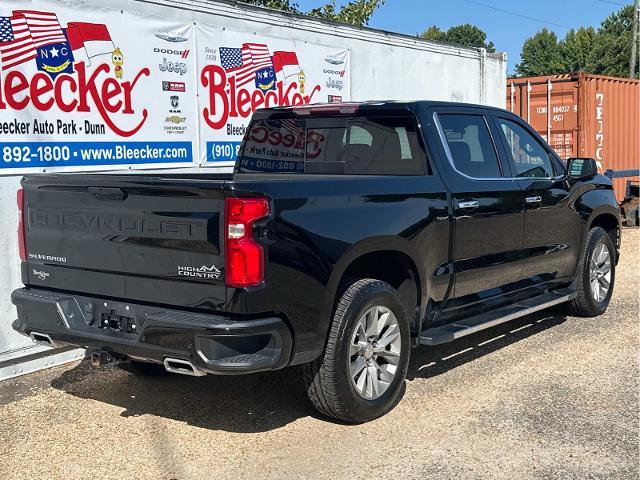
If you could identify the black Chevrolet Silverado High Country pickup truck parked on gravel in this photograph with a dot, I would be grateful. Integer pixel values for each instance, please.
(347, 234)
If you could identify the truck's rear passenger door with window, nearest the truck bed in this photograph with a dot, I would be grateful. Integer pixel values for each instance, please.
(487, 203)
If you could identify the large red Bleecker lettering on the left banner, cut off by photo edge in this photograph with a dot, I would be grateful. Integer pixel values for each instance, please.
(70, 94)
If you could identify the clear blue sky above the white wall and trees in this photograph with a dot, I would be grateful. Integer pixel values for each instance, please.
(507, 32)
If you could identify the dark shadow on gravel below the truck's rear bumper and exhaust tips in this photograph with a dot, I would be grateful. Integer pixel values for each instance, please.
(252, 403)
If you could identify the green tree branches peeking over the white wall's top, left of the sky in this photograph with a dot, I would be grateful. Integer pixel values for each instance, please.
(356, 12)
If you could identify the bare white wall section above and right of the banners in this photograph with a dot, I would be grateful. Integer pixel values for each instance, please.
(385, 66)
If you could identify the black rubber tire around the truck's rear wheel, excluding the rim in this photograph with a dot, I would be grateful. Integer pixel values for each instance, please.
(327, 379)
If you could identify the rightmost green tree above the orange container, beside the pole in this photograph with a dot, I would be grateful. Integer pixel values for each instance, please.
(612, 49)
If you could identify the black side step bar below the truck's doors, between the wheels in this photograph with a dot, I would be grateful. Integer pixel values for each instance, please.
(452, 331)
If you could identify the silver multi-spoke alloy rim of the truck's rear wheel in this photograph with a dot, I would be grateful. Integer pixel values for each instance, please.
(374, 352)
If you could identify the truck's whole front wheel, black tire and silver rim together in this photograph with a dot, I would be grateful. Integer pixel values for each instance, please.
(596, 276)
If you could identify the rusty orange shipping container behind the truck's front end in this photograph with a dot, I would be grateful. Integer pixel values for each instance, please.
(583, 115)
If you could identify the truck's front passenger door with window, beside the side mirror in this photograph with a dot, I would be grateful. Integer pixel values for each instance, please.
(552, 228)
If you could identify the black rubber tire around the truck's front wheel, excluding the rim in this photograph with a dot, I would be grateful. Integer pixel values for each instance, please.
(585, 305)
